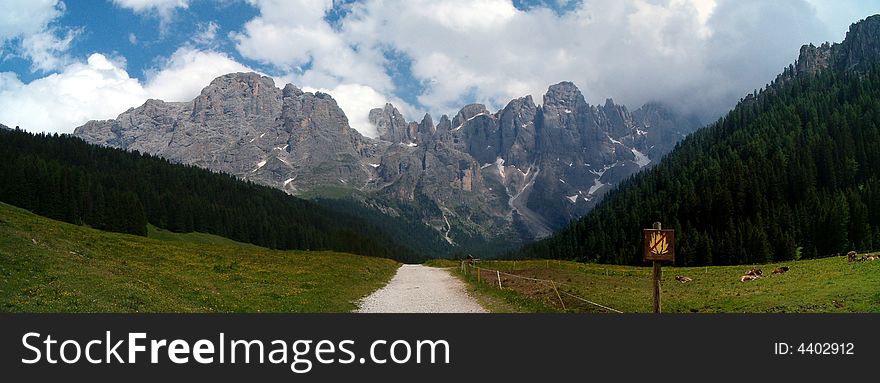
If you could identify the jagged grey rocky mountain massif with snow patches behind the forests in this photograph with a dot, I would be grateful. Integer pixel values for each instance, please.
(519, 173)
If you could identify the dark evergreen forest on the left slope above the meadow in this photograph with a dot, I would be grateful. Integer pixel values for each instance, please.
(64, 178)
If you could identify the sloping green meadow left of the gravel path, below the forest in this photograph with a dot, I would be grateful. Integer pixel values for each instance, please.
(50, 266)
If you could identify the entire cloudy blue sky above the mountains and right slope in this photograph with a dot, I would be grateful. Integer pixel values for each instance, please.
(63, 63)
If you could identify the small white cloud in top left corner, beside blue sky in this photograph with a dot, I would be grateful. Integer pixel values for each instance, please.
(26, 30)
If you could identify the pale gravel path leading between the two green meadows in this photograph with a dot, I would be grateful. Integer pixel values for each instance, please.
(421, 289)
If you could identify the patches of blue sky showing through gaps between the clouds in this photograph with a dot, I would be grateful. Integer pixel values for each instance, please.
(143, 38)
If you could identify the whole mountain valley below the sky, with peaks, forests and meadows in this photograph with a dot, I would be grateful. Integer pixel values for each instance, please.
(257, 198)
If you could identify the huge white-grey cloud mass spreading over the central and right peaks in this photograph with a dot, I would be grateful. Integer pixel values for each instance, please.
(697, 55)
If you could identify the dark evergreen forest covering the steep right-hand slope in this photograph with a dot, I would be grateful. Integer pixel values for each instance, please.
(791, 172)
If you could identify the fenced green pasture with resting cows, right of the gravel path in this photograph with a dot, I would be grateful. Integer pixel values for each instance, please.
(815, 286)
